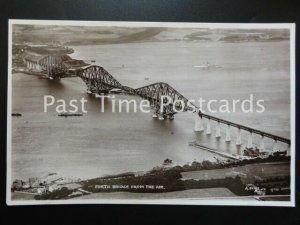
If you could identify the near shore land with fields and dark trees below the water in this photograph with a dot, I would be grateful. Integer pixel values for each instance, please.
(176, 181)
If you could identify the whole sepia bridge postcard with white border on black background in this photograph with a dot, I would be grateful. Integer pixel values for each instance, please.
(150, 113)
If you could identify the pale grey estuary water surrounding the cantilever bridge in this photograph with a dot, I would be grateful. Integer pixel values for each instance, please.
(101, 143)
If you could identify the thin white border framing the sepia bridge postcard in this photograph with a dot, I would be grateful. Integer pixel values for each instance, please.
(217, 201)
